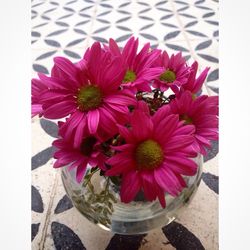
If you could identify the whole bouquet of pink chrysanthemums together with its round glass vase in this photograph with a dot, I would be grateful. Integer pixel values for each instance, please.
(134, 131)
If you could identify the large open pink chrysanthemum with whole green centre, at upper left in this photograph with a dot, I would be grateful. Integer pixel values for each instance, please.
(87, 91)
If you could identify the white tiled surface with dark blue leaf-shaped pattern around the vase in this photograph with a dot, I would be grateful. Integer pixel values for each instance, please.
(67, 28)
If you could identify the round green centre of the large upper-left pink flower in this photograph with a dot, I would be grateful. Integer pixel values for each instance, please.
(89, 97)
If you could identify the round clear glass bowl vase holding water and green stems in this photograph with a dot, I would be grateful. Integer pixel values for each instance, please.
(99, 201)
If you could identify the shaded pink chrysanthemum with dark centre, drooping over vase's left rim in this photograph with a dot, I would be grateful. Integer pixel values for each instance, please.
(88, 152)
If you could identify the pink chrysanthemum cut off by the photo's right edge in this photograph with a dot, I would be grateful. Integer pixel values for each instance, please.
(202, 112)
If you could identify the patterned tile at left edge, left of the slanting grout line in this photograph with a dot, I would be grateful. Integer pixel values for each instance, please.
(41, 190)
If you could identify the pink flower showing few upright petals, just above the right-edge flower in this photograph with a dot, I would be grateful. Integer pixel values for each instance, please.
(193, 84)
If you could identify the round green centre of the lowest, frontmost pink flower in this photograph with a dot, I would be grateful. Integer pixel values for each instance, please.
(148, 155)
